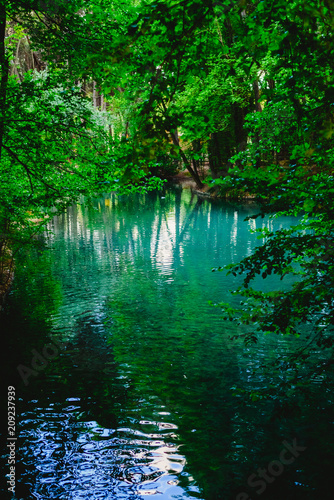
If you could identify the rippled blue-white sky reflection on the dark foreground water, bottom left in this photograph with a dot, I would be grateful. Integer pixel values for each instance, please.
(75, 458)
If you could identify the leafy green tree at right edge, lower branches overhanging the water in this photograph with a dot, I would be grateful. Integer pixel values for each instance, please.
(297, 118)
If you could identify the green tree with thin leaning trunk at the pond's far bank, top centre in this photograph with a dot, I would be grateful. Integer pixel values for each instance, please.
(159, 55)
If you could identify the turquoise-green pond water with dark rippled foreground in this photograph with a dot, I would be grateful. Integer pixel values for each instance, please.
(140, 391)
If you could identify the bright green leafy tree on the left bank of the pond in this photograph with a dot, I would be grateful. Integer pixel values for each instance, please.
(54, 146)
